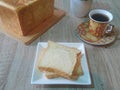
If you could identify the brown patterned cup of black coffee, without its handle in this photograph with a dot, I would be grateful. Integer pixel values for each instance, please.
(99, 22)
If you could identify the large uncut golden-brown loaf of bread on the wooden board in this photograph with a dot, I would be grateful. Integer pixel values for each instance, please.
(22, 16)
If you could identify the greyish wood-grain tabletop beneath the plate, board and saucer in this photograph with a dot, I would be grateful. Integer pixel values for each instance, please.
(16, 59)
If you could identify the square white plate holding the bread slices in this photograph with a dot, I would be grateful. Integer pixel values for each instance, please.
(39, 77)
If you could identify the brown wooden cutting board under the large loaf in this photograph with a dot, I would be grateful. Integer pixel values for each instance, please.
(38, 31)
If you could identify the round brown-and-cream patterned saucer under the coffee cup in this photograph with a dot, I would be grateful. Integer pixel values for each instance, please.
(83, 34)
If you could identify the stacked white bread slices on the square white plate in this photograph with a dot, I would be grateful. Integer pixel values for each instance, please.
(60, 61)
